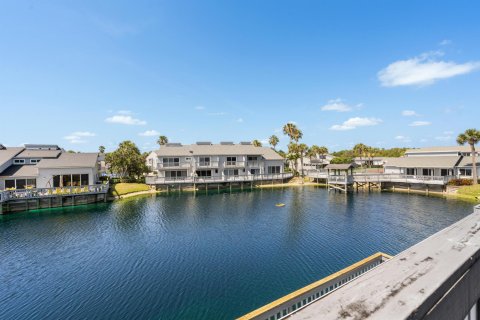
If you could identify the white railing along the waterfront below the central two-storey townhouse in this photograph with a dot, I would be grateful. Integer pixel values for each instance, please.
(217, 179)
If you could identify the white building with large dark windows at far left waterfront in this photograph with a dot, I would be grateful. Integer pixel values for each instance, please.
(45, 166)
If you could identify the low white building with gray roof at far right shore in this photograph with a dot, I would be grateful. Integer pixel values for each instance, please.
(453, 161)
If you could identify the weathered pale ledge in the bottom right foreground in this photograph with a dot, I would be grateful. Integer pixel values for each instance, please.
(437, 278)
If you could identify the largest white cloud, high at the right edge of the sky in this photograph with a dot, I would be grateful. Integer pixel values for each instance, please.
(422, 70)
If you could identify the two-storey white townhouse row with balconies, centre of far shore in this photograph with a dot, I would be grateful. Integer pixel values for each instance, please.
(205, 161)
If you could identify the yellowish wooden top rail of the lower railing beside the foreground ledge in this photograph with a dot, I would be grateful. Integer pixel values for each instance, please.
(311, 286)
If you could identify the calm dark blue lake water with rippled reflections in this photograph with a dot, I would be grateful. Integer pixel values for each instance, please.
(214, 256)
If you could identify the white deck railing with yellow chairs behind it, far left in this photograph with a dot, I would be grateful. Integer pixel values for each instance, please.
(51, 192)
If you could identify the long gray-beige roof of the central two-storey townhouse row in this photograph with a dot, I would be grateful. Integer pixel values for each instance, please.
(217, 150)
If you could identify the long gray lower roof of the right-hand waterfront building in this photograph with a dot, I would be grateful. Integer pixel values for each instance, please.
(423, 162)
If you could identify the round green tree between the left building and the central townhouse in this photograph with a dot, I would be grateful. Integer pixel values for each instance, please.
(126, 161)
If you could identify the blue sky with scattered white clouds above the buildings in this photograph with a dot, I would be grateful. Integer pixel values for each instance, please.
(386, 73)
